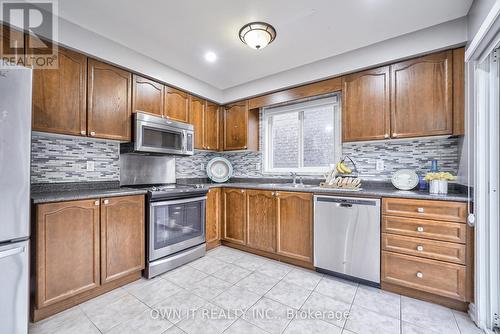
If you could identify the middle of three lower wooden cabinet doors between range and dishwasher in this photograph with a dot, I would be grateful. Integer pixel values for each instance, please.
(261, 220)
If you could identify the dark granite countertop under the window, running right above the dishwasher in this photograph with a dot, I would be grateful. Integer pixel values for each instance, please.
(369, 188)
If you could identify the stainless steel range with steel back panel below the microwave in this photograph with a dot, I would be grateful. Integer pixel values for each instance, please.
(175, 213)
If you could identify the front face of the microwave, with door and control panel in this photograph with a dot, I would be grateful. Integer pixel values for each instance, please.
(154, 138)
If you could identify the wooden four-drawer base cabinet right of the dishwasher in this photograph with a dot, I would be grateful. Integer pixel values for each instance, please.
(427, 251)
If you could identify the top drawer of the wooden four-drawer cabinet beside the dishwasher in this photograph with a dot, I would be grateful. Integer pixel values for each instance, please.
(436, 210)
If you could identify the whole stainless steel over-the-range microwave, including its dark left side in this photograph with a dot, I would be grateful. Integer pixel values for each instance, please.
(154, 134)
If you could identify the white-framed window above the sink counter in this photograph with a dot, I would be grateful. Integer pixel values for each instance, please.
(302, 137)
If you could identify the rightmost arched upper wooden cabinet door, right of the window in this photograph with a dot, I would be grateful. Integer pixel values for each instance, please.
(422, 96)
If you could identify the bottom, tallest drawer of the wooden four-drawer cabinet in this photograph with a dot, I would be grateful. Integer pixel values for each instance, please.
(440, 278)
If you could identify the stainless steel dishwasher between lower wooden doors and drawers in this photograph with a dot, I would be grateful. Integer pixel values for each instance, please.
(347, 237)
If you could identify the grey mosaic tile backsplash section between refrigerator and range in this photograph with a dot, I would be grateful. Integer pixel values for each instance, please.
(64, 159)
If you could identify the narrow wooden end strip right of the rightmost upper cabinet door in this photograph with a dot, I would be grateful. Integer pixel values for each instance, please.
(459, 92)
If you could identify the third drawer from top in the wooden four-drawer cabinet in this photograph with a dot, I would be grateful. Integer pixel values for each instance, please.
(437, 250)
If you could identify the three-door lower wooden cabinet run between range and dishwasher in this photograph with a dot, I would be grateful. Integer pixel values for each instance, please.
(277, 223)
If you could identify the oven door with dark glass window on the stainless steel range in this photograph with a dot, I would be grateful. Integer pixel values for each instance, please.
(176, 225)
